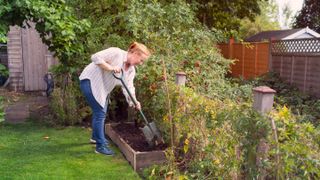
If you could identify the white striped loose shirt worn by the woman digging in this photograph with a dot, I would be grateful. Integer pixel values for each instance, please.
(103, 82)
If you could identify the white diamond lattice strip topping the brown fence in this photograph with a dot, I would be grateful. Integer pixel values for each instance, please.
(296, 46)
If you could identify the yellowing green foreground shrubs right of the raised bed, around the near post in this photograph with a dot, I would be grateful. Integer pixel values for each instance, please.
(207, 133)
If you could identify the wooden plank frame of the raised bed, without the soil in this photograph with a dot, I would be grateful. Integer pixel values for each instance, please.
(137, 159)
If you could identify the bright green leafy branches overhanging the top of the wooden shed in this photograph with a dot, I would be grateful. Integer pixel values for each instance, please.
(58, 27)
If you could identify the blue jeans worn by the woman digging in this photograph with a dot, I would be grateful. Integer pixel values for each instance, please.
(98, 113)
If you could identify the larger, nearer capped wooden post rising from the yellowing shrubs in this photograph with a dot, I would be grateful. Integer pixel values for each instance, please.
(263, 102)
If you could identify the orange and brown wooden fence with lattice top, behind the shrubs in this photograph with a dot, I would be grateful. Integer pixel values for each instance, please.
(297, 61)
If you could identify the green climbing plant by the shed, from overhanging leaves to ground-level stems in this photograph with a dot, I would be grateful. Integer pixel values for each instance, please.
(61, 31)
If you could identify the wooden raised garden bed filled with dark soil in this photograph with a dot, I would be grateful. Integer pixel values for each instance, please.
(134, 147)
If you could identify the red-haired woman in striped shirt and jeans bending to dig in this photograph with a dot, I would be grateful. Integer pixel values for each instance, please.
(97, 81)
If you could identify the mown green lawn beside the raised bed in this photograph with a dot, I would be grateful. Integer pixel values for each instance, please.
(65, 154)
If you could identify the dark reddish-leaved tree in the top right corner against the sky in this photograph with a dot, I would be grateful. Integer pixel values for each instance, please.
(309, 16)
